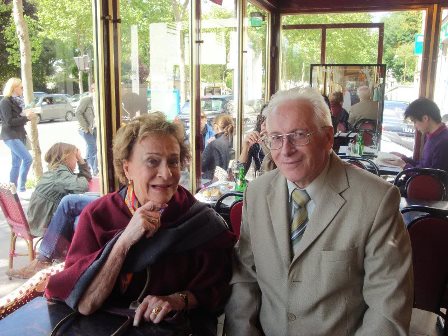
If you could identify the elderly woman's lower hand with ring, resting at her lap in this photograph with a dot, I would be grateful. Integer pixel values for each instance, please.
(156, 308)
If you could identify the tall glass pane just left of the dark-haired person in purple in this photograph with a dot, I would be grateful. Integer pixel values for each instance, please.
(403, 77)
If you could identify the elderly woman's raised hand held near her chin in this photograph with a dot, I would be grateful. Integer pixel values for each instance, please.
(145, 221)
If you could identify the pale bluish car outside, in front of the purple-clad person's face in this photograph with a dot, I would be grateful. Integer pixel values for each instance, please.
(393, 118)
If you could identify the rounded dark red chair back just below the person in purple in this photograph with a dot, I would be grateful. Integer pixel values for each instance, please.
(424, 184)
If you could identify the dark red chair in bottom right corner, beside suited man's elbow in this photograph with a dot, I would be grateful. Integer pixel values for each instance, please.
(429, 240)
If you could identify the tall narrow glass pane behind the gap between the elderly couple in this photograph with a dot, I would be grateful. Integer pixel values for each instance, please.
(219, 65)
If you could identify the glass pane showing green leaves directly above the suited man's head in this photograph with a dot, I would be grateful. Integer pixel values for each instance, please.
(299, 49)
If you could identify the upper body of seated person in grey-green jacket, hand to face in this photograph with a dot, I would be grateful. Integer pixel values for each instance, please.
(58, 181)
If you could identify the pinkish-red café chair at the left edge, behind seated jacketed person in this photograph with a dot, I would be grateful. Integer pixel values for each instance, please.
(16, 219)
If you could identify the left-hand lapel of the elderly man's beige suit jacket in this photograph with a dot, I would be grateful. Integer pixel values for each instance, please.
(278, 207)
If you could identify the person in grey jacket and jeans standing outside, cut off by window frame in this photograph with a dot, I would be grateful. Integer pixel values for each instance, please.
(85, 114)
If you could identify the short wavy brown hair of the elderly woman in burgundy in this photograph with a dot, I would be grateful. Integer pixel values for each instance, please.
(139, 128)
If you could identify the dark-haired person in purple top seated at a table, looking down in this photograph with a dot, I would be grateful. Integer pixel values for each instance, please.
(425, 115)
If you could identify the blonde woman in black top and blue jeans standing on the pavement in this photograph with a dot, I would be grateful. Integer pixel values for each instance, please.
(14, 118)
